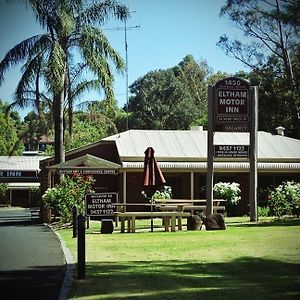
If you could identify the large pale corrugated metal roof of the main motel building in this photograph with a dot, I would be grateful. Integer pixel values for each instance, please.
(191, 145)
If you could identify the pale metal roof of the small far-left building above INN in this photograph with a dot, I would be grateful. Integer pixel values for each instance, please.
(22, 163)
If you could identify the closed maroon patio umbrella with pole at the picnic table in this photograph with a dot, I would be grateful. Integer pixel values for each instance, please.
(153, 177)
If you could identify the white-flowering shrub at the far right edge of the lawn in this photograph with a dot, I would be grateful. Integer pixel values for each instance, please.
(285, 199)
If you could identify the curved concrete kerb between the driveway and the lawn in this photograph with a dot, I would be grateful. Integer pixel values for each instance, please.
(70, 267)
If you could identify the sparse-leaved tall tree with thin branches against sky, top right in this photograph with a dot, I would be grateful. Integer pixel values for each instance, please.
(264, 23)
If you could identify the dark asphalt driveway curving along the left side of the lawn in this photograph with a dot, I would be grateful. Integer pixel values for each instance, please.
(32, 264)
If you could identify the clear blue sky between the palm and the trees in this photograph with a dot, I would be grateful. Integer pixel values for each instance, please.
(169, 30)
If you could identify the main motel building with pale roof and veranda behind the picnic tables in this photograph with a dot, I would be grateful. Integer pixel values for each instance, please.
(116, 162)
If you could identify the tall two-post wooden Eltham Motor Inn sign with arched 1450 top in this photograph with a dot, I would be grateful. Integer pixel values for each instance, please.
(232, 107)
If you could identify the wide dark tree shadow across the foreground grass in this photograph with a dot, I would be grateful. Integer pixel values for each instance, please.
(245, 278)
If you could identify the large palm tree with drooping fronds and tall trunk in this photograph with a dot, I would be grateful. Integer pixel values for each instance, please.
(70, 32)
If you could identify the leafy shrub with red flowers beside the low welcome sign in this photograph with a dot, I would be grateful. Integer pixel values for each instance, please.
(69, 192)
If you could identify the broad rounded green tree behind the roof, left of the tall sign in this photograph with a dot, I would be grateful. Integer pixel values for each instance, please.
(174, 98)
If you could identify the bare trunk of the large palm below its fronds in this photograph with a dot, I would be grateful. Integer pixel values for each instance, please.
(59, 128)
